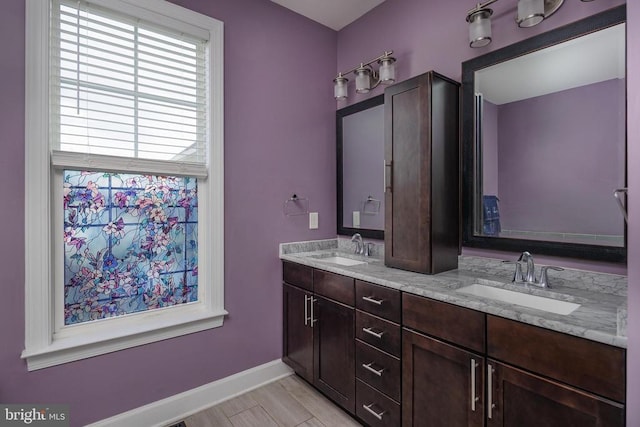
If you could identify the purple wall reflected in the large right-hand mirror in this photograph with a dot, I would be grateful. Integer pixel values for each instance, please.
(569, 149)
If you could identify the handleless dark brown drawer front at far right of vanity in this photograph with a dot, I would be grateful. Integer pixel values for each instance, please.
(592, 366)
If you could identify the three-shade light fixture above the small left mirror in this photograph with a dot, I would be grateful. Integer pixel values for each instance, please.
(367, 77)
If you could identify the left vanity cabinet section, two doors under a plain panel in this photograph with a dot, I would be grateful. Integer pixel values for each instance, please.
(318, 329)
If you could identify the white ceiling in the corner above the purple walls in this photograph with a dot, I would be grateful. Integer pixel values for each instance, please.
(334, 14)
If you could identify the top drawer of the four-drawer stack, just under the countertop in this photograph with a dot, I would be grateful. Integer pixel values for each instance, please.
(378, 300)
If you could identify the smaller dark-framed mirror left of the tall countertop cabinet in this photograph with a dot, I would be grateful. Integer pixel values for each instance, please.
(360, 164)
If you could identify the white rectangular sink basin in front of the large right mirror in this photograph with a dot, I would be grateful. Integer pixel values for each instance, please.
(518, 298)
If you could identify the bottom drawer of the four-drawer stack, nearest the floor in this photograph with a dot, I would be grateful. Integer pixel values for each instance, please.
(375, 408)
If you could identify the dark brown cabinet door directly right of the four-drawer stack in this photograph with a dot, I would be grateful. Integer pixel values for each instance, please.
(441, 384)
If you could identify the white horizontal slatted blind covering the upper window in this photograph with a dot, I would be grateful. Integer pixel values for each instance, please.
(122, 87)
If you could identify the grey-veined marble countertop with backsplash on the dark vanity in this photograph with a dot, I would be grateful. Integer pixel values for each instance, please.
(602, 297)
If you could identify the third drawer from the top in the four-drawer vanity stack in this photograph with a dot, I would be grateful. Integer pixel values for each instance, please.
(378, 369)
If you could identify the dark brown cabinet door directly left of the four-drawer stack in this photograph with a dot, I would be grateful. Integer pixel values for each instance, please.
(334, 367)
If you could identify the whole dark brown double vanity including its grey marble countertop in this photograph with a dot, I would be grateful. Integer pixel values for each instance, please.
(463, 347)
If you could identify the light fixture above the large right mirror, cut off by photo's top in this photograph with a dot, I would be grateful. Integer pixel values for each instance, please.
(530, 13)
